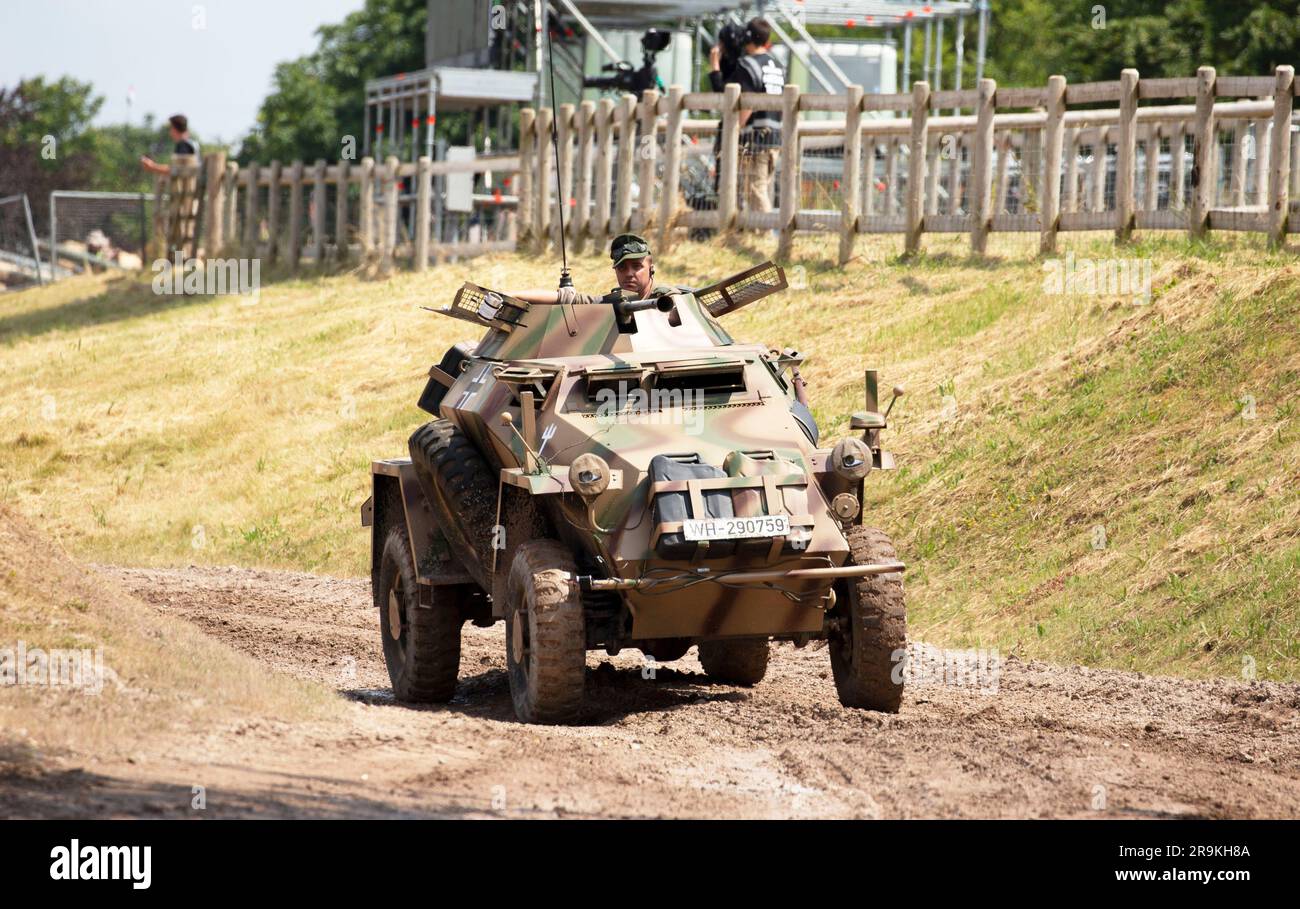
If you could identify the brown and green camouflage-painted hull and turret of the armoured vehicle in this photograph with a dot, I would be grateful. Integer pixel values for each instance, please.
(558, 354)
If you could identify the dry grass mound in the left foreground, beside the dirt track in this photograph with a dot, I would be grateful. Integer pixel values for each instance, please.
(159, 674)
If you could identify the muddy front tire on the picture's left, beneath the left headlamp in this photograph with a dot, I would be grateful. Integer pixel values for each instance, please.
(545, 634)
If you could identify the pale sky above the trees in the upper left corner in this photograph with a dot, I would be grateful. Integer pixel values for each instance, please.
(211, 60)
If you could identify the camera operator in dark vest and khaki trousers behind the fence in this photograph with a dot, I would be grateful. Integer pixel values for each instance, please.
(761, 131)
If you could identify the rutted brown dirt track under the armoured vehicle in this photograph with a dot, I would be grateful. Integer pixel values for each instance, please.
(678, 746)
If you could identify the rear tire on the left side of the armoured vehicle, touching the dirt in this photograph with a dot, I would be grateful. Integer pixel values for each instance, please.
(424, 659)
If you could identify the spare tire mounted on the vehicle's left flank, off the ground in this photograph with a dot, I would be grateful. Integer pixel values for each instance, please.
(444, 457)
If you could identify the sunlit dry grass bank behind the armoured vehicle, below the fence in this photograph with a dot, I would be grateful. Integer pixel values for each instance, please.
(159, 431)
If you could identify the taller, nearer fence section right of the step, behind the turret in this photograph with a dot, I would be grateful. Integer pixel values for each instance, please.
(1074, 166)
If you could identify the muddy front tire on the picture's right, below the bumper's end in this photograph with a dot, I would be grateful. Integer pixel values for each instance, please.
(874, 618)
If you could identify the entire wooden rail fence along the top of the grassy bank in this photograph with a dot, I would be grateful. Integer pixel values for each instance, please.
(1207, 153)
